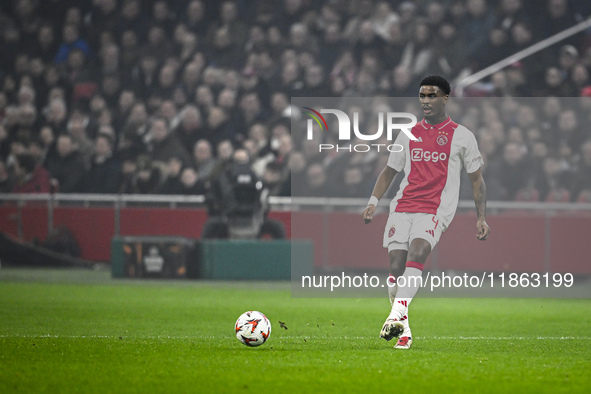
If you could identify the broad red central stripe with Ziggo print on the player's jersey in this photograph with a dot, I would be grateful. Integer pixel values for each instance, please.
(428, 172)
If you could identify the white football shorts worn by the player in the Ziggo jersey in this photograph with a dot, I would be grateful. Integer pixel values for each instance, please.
(403, 227)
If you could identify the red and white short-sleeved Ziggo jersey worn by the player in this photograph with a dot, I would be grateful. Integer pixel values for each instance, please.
(432, 166)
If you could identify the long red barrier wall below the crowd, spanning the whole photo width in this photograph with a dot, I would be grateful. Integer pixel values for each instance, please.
(531, 242)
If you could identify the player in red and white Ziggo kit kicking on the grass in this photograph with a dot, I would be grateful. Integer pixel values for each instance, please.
(427, 200)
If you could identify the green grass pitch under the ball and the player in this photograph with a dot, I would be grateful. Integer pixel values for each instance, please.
(80, 331)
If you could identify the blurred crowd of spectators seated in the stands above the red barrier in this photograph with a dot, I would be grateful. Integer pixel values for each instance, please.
(156, 96)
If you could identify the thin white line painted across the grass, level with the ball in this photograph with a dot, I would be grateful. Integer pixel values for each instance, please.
(462, 338)
